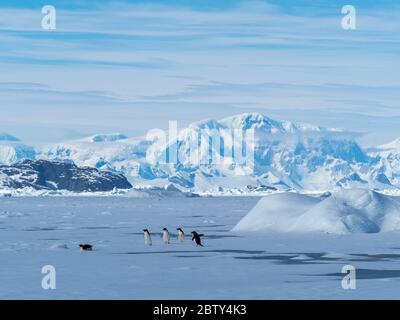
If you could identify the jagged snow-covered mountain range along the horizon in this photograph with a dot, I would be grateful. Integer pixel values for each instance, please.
(286, 156)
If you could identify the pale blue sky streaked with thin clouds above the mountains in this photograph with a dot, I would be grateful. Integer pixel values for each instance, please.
(129, 66)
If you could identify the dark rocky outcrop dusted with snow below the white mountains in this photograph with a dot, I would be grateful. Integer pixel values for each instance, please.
(59, 175)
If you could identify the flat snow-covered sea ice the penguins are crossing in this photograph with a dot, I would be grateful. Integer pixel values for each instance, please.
(46, 231)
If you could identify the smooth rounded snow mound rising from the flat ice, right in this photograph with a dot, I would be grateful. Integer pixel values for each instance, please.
(344, 211)
